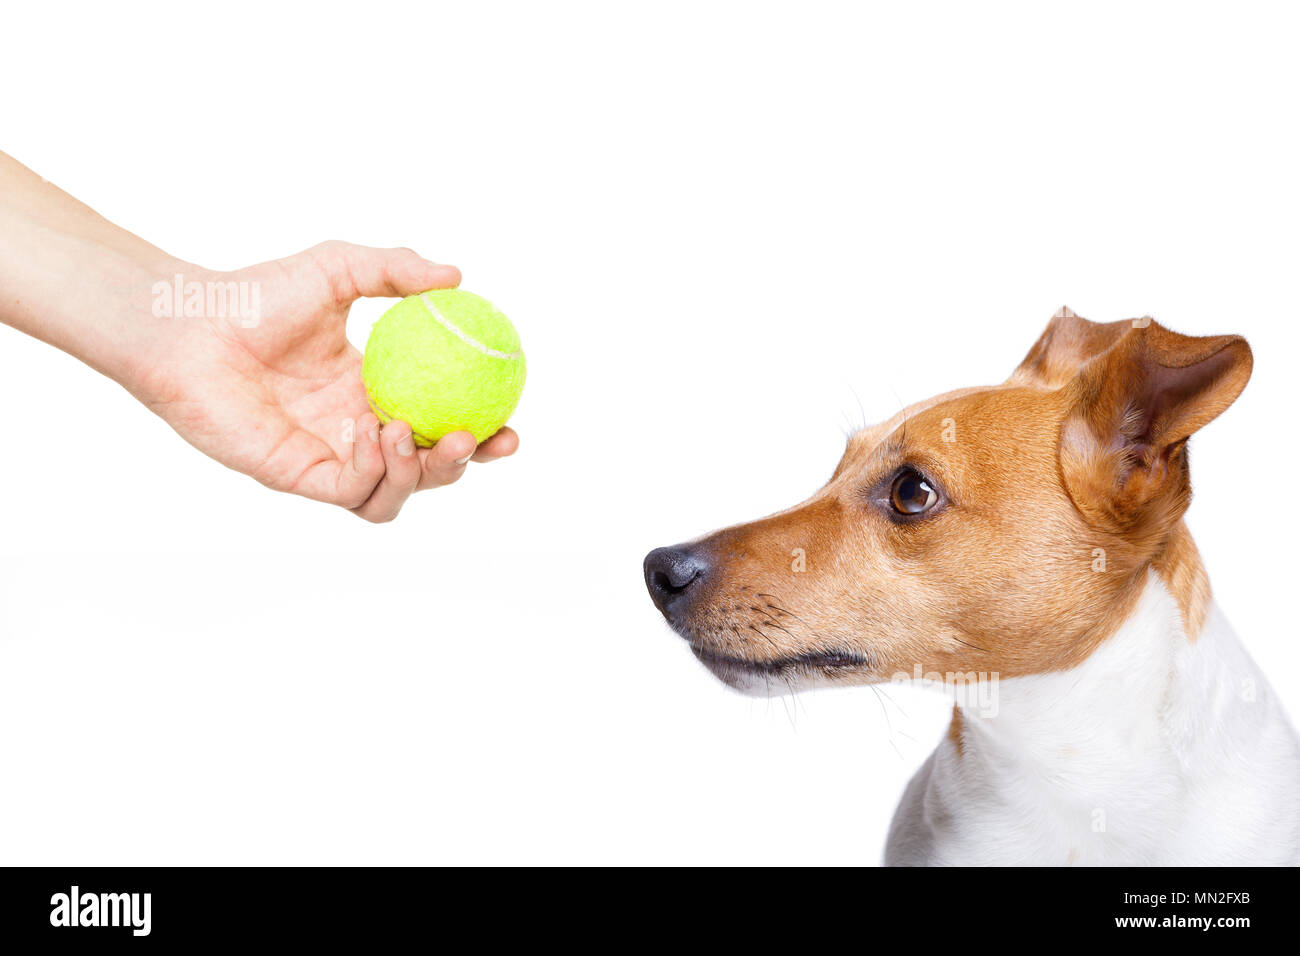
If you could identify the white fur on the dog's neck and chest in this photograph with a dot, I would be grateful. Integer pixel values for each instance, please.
(1155, 751)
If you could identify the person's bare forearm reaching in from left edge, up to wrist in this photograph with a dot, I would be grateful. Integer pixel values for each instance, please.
(75, 280)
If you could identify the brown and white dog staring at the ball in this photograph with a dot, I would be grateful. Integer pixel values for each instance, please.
(1030, 535)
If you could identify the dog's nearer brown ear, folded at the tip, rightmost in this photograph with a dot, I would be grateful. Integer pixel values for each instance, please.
(1130, 412)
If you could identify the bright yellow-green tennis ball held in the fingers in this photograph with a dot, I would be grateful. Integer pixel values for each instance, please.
(445, 361)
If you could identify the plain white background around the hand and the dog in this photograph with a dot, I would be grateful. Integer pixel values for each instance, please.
(718, 228)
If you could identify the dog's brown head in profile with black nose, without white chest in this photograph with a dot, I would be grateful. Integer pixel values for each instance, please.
(998, 530)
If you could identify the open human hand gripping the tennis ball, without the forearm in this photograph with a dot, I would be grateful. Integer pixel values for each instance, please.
(283, 400)
